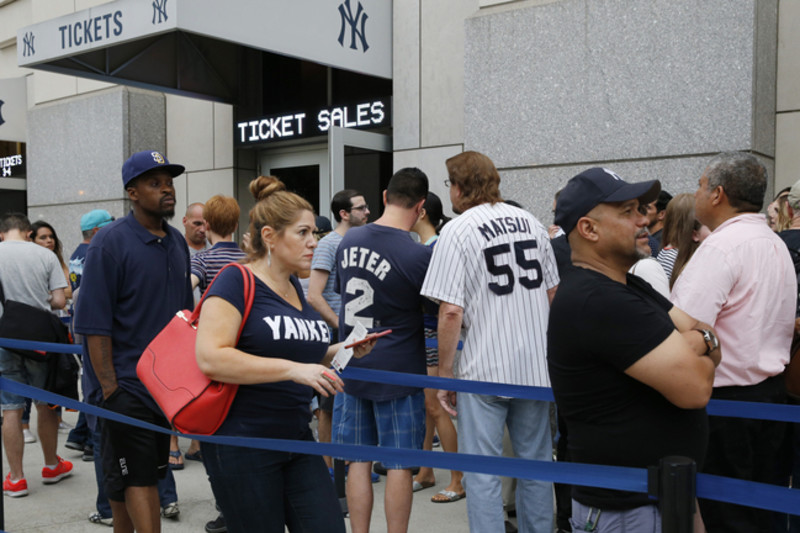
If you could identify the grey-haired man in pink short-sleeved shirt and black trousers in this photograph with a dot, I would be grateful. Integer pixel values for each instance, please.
(741, 281)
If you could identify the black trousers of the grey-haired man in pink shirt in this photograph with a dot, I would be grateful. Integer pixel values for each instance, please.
(744, 449)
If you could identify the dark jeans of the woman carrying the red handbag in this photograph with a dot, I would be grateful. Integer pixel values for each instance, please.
(266, 491)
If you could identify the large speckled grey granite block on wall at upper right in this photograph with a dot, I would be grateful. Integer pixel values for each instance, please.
(606, 80)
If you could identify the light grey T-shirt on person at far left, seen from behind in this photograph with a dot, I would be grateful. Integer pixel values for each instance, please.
(29, 273)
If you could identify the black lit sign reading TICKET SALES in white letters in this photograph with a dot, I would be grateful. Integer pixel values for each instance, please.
(303, 124)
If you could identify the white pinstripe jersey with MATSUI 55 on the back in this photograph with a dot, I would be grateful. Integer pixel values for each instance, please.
(495, 261)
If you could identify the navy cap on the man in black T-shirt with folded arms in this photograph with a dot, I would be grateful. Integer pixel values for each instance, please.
(598, 186)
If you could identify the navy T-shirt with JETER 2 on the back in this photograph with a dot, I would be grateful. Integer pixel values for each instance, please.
(379, 273)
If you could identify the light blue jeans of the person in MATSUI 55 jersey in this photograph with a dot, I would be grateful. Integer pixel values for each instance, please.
(480, 431)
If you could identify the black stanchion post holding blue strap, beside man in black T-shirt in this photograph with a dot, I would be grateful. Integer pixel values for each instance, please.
(673, 481)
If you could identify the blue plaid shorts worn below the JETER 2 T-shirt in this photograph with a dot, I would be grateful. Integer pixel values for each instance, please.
(398, 423)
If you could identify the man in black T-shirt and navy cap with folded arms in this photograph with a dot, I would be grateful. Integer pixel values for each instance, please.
(632, 386)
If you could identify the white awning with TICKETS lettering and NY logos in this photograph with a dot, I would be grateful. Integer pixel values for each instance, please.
(195, 47)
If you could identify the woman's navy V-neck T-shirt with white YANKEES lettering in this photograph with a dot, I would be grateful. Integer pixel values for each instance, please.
(277, 329)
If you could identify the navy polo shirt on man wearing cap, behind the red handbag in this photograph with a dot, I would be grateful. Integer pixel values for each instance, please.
(133, 283)
